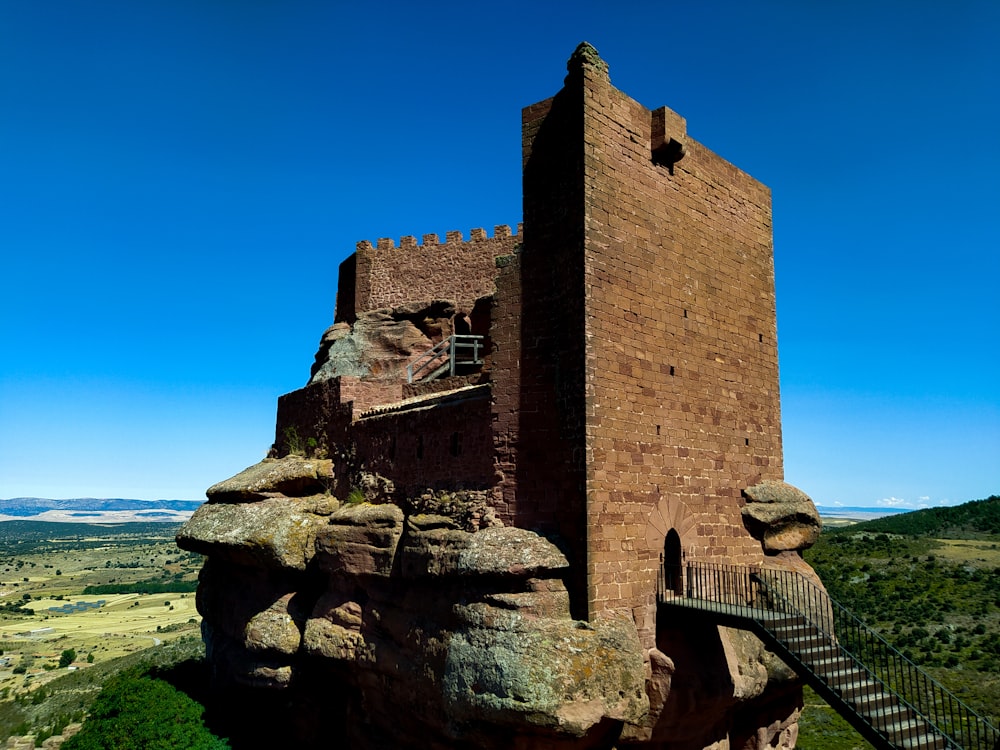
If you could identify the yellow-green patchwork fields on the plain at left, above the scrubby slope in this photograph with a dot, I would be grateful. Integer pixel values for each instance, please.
(128, 587)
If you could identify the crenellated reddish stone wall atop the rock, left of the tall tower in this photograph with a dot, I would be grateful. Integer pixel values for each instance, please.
(387, 275)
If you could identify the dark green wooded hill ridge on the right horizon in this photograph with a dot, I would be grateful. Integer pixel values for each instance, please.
(977, 519)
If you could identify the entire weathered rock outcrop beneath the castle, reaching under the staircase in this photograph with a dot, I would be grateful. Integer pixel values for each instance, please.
(432, 632)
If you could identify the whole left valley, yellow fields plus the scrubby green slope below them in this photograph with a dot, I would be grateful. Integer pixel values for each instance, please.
(54, 663)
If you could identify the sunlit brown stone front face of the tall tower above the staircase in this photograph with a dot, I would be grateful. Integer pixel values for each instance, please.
(682, 370)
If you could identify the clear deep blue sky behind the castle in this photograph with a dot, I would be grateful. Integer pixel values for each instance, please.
(179, 180)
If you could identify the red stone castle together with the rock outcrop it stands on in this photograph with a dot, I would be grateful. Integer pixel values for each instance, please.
(600, 386)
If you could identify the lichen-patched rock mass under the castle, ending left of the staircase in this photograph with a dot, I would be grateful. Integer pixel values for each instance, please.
(440, 637)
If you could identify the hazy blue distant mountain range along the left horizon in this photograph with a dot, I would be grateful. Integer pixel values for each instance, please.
(96, 510)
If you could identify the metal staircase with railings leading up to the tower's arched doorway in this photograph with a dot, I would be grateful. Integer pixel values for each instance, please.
(885, 696)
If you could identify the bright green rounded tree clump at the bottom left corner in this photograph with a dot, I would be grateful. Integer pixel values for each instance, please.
(136, 710)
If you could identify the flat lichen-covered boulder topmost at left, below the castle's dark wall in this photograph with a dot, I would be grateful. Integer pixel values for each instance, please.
(292, 476)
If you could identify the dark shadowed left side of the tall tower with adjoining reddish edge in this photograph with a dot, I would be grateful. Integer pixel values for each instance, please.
(538, 335)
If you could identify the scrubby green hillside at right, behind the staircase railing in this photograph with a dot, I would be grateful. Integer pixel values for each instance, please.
(929, 582)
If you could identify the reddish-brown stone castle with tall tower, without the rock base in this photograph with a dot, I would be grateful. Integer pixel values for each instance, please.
(629, 387)
